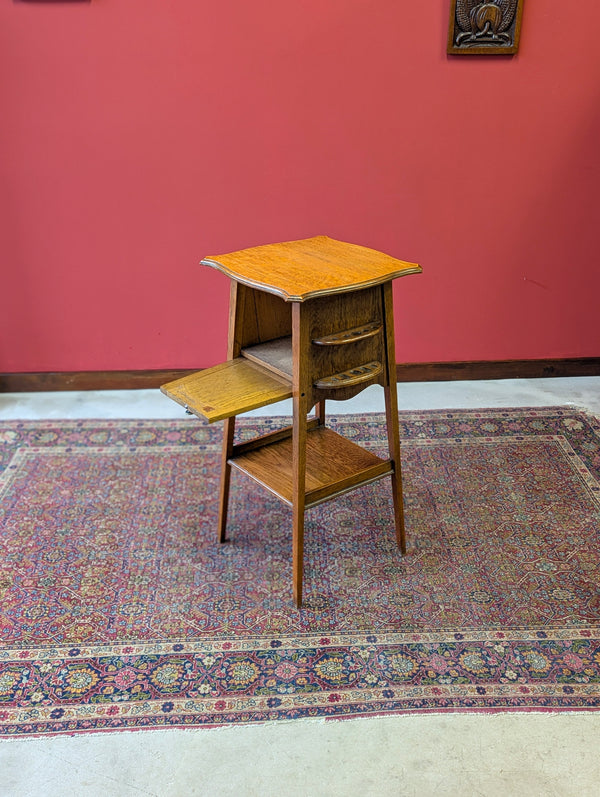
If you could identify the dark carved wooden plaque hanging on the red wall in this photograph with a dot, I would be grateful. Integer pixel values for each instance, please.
(489, 27)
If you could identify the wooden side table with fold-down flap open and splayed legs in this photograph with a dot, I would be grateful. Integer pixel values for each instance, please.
(311, 320)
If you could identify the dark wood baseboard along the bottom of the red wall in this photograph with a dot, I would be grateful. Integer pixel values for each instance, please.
(406, 372)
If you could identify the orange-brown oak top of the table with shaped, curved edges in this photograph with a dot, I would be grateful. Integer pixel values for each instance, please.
(301, 270)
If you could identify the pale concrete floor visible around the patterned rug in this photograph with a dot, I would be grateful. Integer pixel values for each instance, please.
(531, 754)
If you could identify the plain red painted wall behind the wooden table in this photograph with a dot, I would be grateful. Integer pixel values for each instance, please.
(138, 136)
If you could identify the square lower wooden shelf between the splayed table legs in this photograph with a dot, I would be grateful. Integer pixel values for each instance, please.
(334, 465)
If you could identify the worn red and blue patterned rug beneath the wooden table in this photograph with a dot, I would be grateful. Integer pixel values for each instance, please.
(119, 609)
